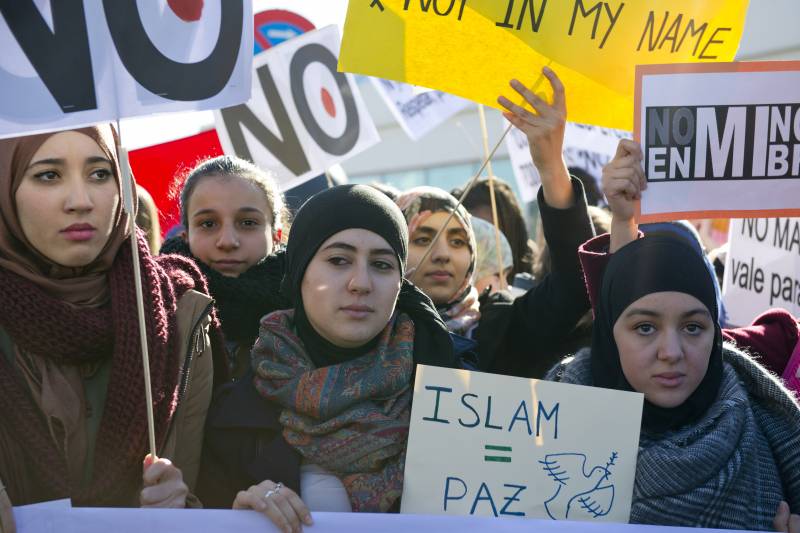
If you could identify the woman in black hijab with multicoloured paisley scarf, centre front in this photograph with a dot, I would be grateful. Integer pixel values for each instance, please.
(325, 413)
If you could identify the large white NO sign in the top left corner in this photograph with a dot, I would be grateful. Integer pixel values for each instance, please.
(70, 63)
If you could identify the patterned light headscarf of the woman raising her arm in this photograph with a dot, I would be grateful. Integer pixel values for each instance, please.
(419, 204)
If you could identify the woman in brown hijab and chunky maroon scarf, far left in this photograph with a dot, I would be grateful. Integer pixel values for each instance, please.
(72, 413)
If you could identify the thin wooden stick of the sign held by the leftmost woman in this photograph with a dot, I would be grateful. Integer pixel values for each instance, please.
(127, 199)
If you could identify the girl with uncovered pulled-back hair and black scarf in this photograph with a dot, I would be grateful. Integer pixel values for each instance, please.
(234, 217)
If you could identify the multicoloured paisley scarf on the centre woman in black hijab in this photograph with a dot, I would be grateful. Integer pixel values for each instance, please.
(350, 418)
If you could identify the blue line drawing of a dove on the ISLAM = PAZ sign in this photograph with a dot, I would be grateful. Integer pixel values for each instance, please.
(579, 495)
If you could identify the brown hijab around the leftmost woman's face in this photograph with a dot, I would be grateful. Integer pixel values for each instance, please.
(83, 286)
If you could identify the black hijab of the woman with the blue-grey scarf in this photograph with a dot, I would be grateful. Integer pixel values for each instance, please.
(649, 265)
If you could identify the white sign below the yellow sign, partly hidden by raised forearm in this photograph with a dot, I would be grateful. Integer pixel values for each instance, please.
(587, 147)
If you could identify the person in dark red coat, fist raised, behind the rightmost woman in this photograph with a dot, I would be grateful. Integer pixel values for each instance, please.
(773, 337)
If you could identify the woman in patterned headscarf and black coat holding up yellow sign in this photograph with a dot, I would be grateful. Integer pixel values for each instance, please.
(511, 336)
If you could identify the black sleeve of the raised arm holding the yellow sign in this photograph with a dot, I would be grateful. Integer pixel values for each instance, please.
(545, 316)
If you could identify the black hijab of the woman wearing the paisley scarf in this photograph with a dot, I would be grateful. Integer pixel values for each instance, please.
(359, 207)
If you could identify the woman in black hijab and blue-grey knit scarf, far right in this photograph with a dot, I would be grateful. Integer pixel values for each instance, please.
(719, 446)
